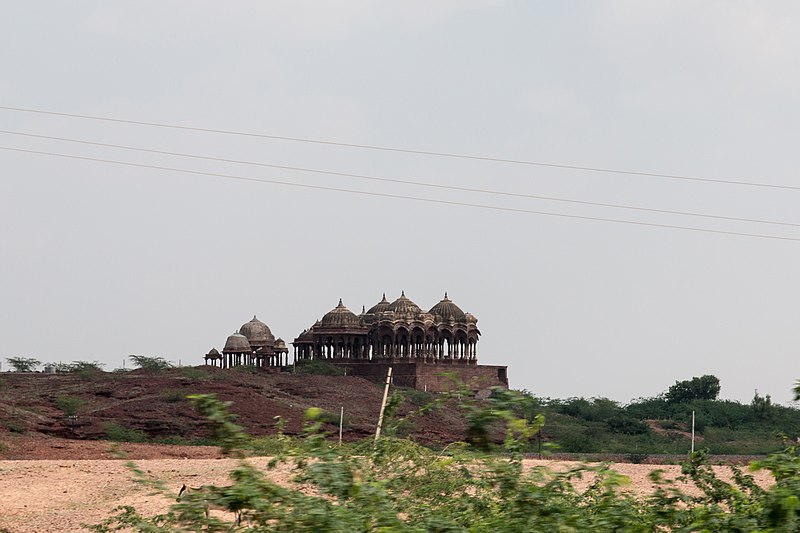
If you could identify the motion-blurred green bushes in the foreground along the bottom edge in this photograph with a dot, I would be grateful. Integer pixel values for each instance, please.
(399, 486)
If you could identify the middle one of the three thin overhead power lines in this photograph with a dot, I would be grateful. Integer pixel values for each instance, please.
(404, 182)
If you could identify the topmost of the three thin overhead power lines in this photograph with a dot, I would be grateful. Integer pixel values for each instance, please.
(403, 150)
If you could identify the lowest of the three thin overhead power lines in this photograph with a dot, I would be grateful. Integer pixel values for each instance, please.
(403, 197)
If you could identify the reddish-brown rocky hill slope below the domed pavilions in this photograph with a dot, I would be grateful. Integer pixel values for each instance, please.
(152, 407)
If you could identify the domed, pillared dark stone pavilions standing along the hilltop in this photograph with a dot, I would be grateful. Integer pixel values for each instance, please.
(388, 330)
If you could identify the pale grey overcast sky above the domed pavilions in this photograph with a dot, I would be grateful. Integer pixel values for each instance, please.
(101, 260)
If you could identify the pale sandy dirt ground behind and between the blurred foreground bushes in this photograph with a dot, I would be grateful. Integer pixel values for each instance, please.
(57, 485)
